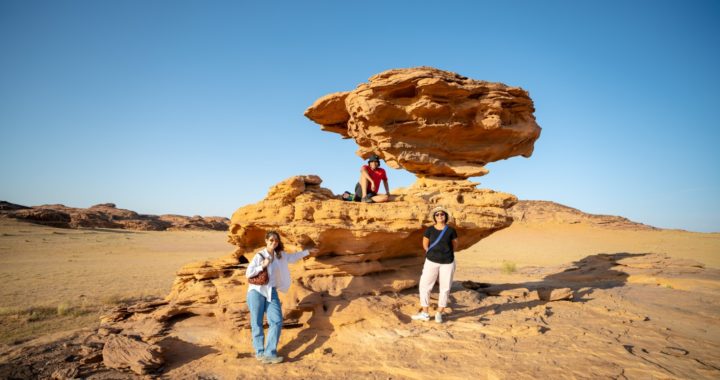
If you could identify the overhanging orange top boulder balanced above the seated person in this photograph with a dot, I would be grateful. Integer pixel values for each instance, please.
(432, 122)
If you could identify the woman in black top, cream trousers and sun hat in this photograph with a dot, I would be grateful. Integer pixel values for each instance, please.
(439, 241)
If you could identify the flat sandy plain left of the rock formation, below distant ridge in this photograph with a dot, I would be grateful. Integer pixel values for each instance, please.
(53, 279)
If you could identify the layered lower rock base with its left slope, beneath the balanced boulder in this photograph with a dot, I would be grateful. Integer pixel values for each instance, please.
(362, 248)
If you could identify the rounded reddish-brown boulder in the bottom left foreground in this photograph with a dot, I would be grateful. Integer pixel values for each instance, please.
(121, 352)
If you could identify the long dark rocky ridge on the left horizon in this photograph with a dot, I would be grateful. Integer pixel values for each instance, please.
(107, 215)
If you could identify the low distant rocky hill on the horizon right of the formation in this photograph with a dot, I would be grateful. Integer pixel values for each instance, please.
(545, 212)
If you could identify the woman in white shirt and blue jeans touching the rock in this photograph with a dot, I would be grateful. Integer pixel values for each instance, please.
(262, 299)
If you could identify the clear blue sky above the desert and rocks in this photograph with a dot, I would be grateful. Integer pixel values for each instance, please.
(196, 107)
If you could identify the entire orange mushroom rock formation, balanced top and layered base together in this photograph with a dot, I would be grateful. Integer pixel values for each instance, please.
(439, 125)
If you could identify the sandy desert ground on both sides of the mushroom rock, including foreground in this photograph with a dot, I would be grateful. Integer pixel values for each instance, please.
(643, 304)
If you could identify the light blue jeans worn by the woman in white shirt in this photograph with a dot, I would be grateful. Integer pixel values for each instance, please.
(259, 305)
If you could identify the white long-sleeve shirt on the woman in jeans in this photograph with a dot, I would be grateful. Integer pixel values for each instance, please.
(278, 271)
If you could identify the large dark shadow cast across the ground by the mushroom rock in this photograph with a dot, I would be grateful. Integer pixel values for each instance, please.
(575, 283)
